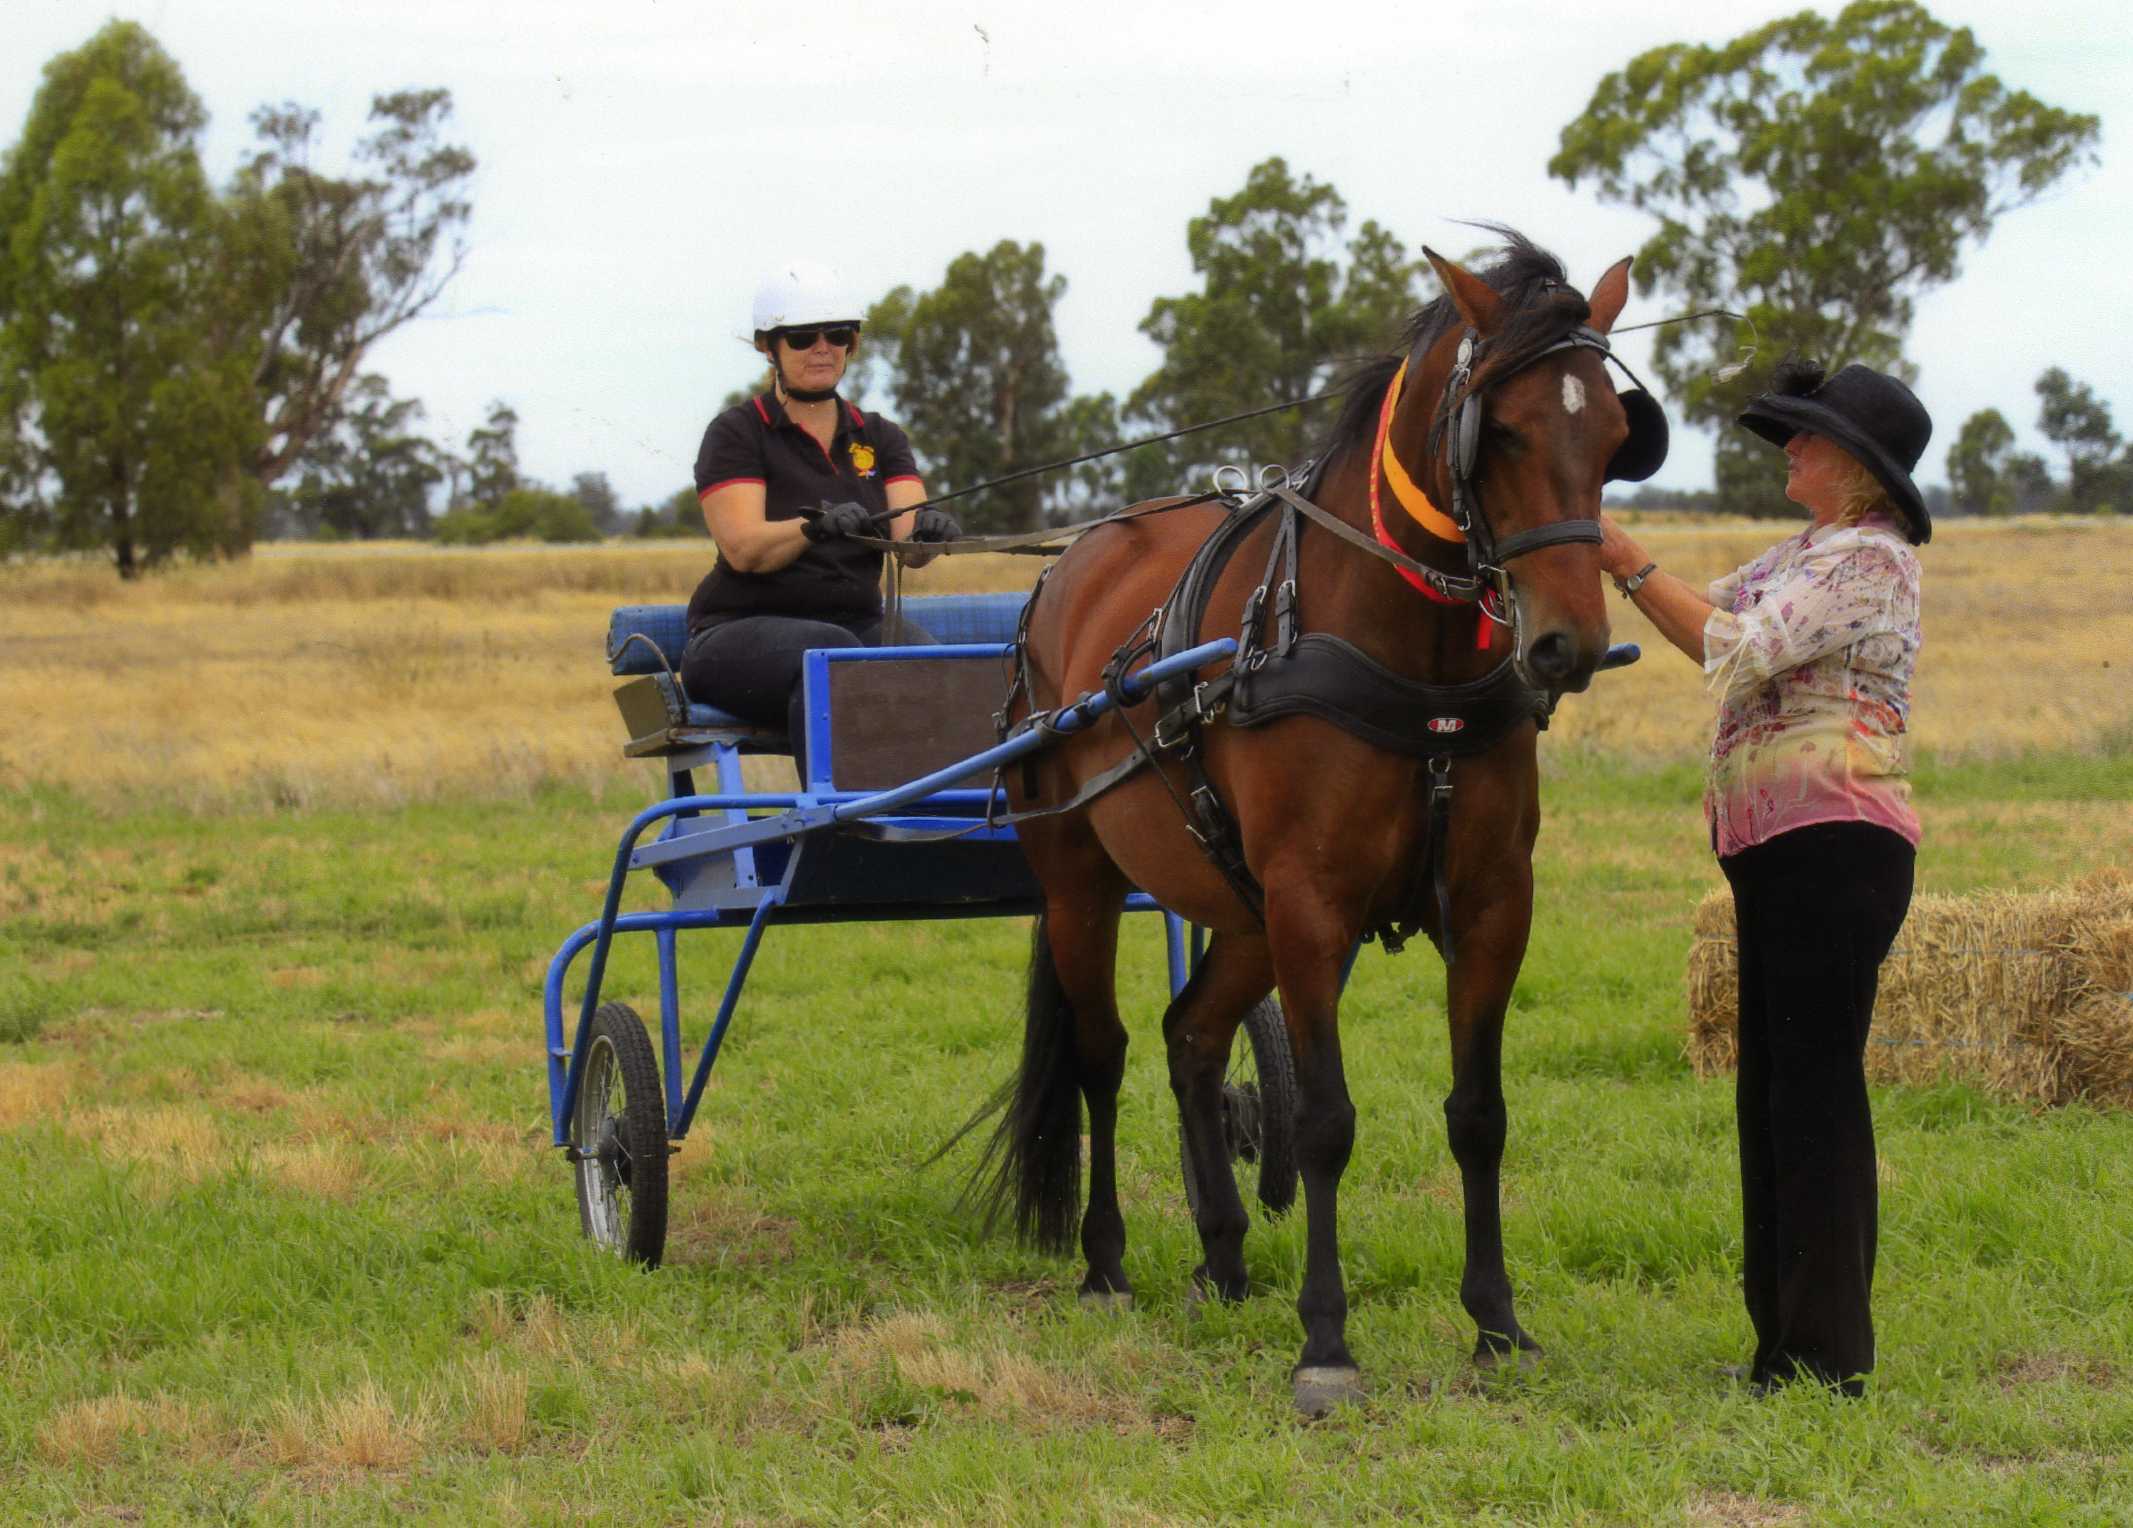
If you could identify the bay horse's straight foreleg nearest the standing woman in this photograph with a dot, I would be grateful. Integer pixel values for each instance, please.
(1490, 949)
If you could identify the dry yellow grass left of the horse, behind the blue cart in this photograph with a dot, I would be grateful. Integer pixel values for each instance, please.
(338, 675)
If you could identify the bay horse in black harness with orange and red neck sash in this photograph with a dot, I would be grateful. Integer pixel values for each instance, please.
(1503, 411)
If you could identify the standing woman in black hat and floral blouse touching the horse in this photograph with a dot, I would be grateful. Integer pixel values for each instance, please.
(1812, 650)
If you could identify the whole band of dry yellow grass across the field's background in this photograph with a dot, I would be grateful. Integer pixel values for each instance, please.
(394, 673)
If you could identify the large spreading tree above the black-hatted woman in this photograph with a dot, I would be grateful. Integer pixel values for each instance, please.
(1818, 174)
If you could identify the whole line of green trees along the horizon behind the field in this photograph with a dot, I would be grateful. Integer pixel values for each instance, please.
(187, 364)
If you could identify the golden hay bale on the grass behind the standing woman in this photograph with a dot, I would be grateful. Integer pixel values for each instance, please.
(2025, 993)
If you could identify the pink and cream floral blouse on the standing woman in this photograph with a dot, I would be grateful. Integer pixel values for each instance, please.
(1812, 652)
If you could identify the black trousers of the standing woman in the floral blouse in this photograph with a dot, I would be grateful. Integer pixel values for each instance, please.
(1816, 912)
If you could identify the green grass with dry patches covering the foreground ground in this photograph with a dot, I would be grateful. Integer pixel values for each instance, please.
(285, 1239)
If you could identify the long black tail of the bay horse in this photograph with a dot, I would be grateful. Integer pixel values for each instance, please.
(1033, 1162)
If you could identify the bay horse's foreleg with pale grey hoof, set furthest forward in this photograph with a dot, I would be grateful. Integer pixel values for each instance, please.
(1309, 955)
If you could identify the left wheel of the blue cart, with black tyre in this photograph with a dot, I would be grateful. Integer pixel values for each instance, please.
(618, 1139)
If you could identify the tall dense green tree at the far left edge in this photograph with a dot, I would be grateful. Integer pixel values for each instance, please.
(125, 392)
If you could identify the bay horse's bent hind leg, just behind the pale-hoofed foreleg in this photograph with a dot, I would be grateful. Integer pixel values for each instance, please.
(1200, 1030)
